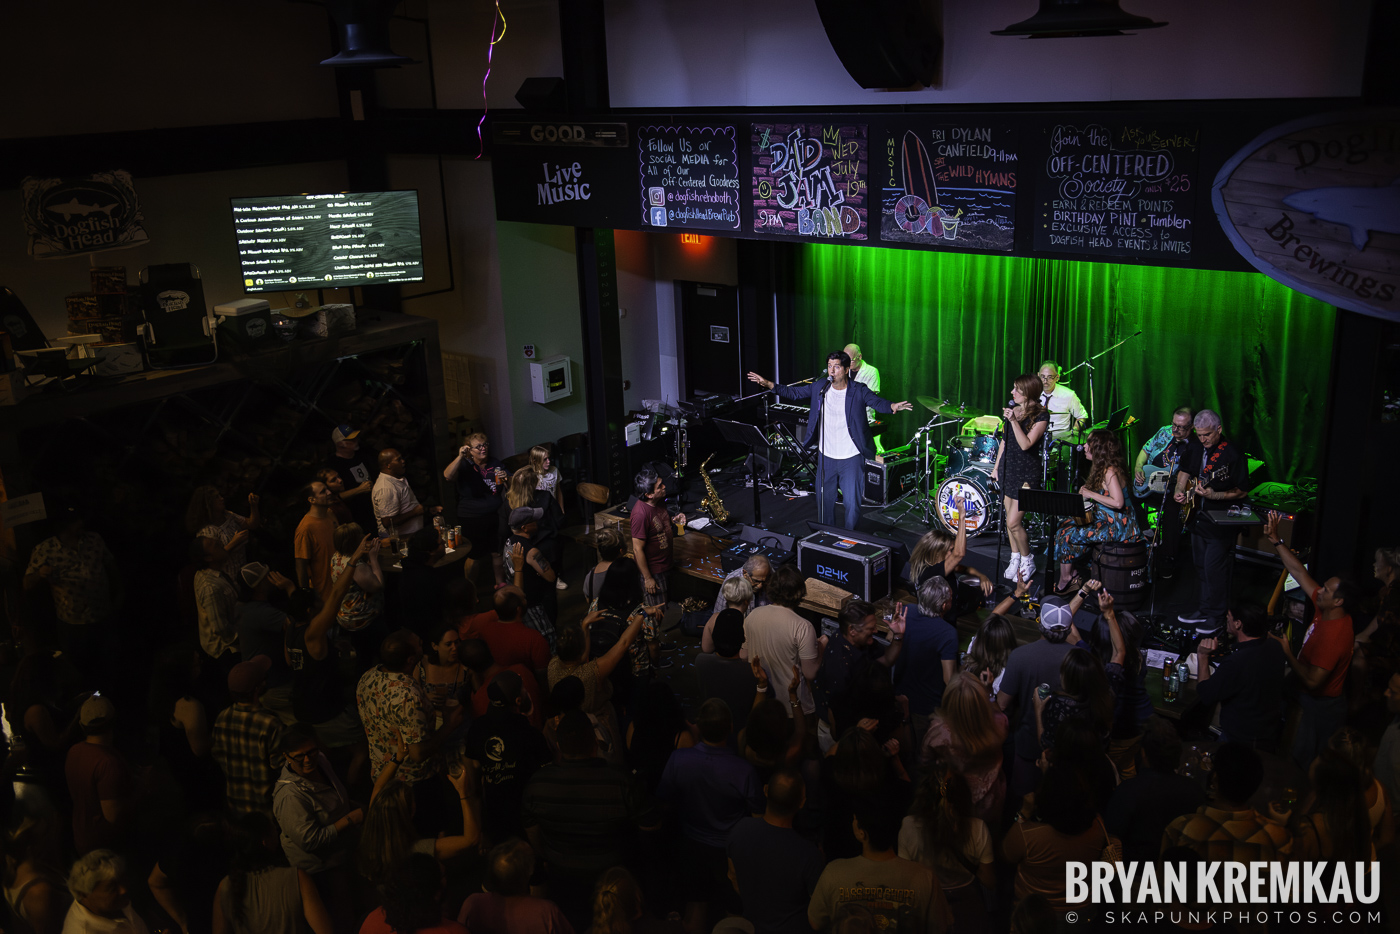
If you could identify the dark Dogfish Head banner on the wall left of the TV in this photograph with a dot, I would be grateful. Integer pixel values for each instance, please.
(71, 216)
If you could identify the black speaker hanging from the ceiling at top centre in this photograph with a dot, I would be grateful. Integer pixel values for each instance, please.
(885, 44)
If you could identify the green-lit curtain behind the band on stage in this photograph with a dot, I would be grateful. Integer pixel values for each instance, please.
(961, 327)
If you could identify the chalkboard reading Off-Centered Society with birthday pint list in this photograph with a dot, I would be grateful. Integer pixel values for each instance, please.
(1125, 190)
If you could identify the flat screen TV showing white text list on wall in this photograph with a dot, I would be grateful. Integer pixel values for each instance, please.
(328, 242)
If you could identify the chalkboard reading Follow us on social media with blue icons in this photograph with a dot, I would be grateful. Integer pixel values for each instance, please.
(689, 177)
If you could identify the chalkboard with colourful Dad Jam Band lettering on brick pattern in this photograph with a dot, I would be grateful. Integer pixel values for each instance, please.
(810, 180)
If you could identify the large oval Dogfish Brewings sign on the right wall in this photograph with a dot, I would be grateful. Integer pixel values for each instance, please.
(1317, 205)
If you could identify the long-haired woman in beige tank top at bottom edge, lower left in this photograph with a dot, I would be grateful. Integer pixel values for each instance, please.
(260, 895)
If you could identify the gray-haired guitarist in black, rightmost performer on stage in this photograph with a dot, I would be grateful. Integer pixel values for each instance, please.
(1212, 470)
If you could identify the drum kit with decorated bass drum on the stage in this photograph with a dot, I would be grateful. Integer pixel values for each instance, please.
(962, 468)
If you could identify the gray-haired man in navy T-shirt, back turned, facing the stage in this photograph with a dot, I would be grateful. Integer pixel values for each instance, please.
(930, 657)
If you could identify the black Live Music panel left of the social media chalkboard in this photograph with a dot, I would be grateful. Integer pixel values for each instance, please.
(558, 173)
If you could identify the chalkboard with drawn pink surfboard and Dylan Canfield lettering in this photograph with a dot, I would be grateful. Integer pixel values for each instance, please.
(950, 186)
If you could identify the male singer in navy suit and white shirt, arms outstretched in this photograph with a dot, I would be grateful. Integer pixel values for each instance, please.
(838, 407)
